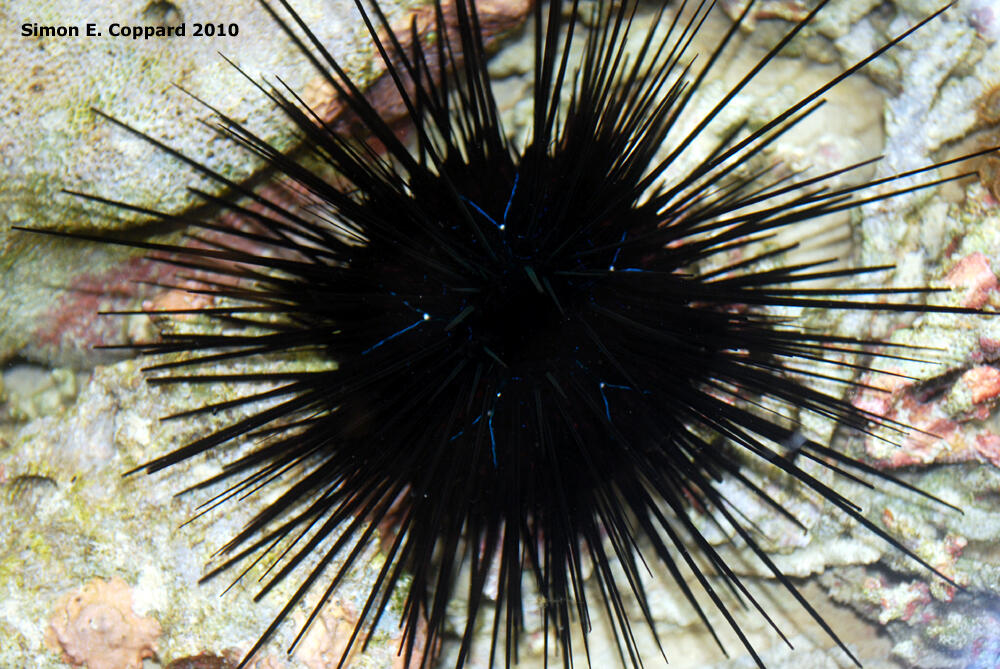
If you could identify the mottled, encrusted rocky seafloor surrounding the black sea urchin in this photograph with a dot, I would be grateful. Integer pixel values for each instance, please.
(93, 568)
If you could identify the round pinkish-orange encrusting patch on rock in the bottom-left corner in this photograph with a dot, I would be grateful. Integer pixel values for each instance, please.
(95, 627)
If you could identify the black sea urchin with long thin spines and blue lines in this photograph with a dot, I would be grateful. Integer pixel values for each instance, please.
(534, 371)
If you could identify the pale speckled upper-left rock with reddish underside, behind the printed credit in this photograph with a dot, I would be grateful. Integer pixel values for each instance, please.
(51, 140)
